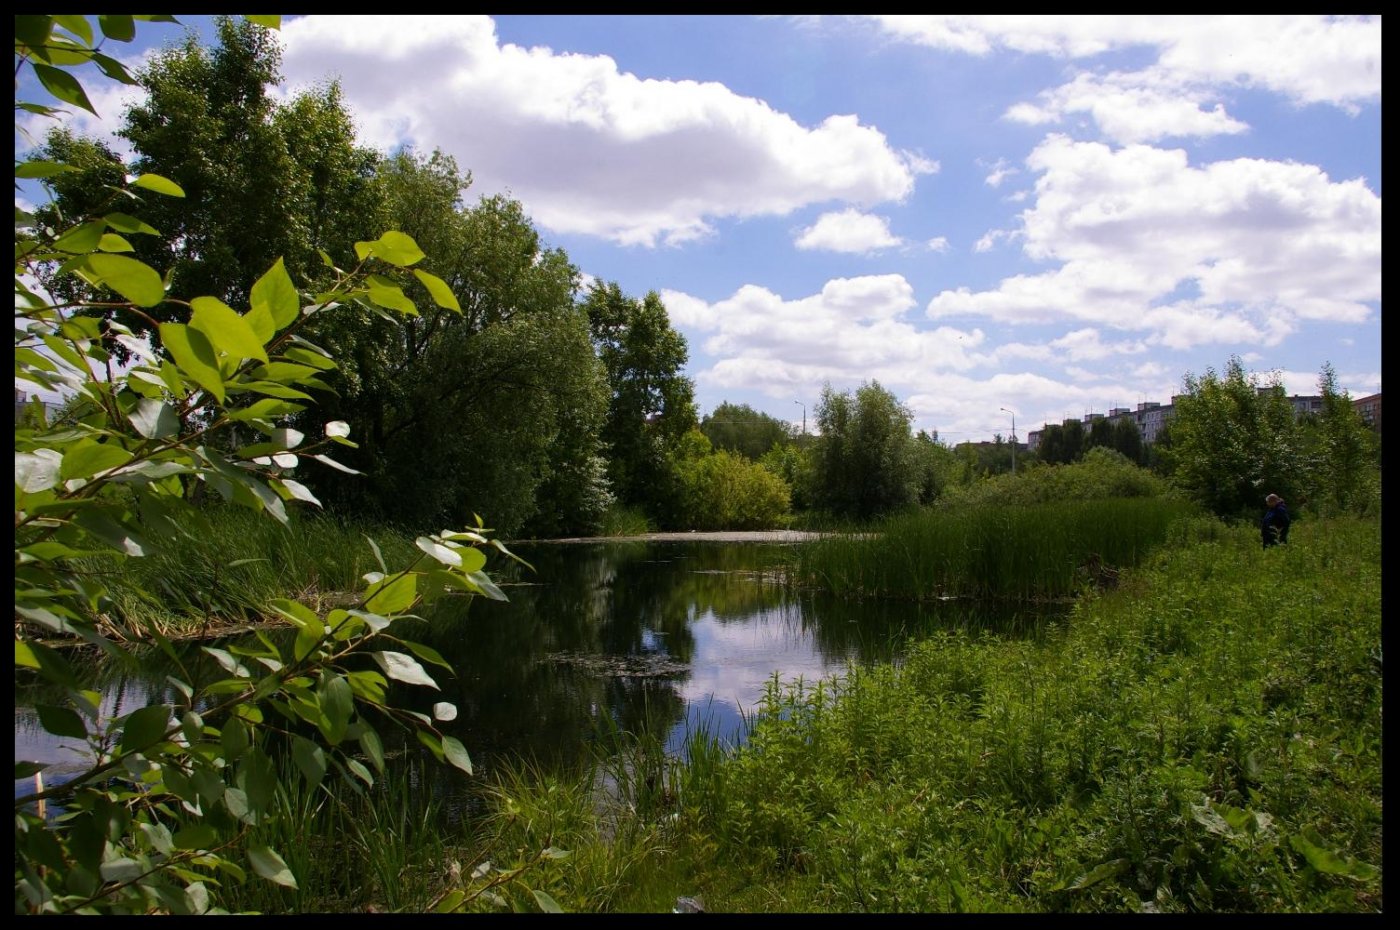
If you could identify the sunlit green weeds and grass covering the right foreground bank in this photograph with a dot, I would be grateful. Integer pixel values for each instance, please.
(1203, 739)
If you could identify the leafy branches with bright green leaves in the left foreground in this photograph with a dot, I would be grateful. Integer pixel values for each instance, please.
(167, 810)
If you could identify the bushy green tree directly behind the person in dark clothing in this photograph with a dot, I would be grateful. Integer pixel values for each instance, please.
(1234, 442)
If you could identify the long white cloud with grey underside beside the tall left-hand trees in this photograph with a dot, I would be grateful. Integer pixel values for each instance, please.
(584, 146)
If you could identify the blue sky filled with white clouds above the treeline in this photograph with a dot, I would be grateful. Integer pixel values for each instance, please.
(1004, 221)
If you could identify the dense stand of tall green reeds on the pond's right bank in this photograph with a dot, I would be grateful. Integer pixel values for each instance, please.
(990, 551)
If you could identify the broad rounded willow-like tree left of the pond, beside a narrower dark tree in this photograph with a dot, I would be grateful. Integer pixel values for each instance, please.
(493, 410)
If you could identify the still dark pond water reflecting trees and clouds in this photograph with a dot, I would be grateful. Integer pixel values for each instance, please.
(659, 638)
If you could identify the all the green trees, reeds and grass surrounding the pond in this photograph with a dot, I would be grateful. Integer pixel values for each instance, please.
(226, 313)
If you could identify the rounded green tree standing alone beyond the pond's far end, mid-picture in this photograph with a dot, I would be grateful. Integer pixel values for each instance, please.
(863, 461)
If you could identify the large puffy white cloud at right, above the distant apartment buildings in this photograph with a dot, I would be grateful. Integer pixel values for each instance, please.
(1265, 244)
